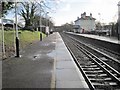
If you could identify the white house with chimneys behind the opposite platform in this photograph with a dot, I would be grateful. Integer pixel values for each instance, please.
(87, 23)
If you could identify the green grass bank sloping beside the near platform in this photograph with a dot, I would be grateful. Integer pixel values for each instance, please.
(25, 38)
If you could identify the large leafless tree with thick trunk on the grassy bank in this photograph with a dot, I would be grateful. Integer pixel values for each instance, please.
(30, 10)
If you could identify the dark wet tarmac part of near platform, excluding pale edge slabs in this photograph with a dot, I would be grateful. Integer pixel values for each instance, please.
(34, 68)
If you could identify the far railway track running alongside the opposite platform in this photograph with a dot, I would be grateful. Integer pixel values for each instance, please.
(113, 60)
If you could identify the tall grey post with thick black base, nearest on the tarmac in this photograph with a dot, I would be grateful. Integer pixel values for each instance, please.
(16, 29)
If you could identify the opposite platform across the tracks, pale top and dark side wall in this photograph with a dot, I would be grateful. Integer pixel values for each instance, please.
(110, 43)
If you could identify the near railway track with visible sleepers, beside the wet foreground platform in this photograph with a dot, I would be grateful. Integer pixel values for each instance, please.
(97, 72)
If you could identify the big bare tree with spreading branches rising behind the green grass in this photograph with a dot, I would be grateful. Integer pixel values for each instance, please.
(30, 9)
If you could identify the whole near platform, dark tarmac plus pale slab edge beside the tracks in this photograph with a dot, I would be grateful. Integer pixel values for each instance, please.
(44, 64)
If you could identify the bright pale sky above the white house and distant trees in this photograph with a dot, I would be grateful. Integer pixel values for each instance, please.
(69, 10)
